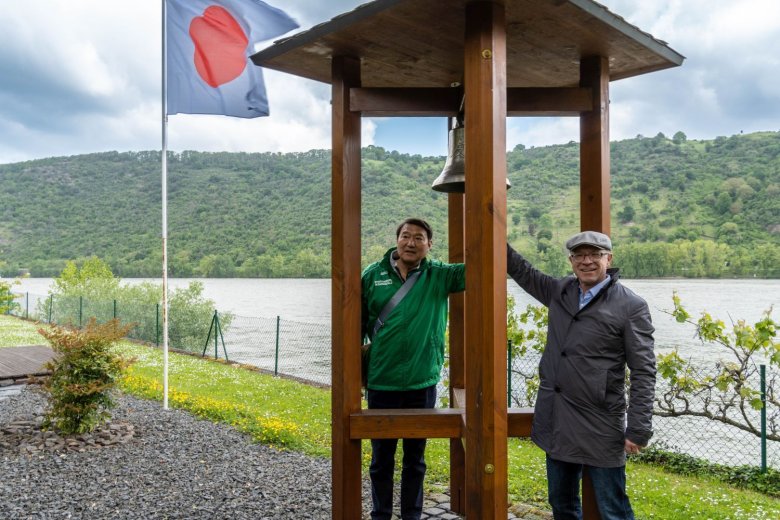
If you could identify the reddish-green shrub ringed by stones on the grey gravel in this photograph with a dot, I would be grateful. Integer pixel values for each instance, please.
(83, 373)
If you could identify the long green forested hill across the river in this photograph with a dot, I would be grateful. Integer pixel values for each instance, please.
(679, 208)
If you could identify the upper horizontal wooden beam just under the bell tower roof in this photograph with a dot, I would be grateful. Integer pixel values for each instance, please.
(445, 102)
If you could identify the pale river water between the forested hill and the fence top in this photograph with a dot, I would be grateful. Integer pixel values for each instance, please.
(308, 300)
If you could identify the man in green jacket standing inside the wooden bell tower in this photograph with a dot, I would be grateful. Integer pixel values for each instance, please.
(406, 355)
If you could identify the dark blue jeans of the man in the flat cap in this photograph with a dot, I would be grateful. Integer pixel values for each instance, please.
(609, 487)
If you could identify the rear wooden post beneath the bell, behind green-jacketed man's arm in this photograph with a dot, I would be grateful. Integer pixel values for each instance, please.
(457, 354)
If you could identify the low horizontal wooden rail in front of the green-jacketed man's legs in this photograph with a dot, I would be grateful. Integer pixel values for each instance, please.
(408, 423)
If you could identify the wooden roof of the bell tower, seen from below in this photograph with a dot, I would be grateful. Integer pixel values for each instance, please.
(419, 43)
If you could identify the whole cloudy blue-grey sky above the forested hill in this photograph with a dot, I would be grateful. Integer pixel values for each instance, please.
(81, 76)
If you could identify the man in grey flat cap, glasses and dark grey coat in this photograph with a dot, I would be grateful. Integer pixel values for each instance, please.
(597, 328)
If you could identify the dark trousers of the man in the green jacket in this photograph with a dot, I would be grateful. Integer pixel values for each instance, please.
(383, 457)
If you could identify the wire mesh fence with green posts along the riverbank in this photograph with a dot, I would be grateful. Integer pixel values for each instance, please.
(303, 350)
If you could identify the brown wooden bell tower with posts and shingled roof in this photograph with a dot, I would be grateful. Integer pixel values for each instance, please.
(422, 58)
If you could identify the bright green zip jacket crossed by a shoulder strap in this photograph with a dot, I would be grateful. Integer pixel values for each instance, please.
(408, 351)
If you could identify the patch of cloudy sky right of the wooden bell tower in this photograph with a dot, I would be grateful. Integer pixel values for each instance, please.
(727, 83)
